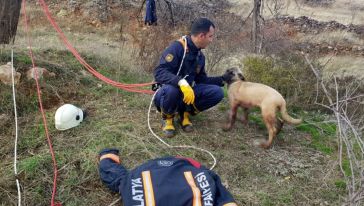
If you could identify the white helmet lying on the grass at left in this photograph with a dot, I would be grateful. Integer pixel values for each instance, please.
(68, 116)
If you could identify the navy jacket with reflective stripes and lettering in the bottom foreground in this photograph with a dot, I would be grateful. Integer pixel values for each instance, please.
(167, 181)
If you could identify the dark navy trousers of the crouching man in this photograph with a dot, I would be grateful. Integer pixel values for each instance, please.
(169, 99)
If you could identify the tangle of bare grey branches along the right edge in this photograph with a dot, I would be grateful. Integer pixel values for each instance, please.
(350, 140)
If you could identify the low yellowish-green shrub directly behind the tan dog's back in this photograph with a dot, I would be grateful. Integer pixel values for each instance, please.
(288, 74)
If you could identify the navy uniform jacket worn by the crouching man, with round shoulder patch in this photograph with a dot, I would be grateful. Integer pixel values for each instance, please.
(193, 69)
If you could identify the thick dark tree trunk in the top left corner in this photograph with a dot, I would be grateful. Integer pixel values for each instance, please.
(9, 16)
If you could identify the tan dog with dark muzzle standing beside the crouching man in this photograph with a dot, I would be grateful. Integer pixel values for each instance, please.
(247, 95)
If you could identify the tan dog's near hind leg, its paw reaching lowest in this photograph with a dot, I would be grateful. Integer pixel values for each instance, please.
(269, 118)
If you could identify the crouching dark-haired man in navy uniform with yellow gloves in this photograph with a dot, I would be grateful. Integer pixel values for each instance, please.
(186, 89)
